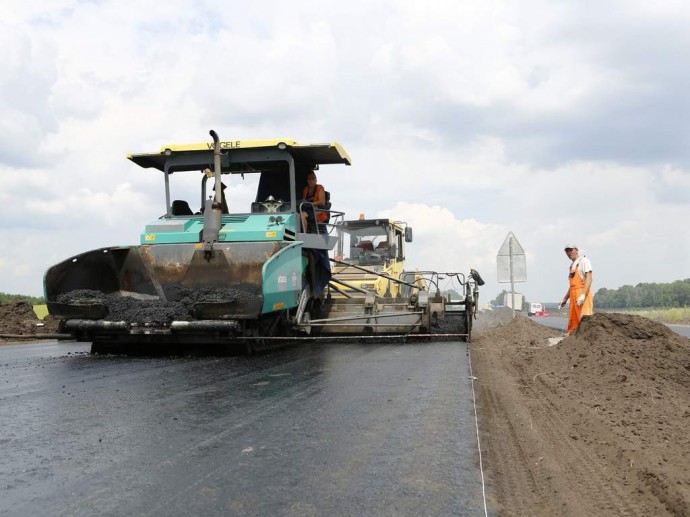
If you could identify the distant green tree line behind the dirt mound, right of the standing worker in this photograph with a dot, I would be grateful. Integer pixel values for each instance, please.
(642, 296)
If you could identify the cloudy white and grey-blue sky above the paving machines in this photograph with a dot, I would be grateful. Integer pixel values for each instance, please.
(559, 121)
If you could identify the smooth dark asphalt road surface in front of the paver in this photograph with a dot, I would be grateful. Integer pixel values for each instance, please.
(327, 429)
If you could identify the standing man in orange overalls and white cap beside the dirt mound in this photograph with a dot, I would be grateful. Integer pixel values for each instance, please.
(580, 290)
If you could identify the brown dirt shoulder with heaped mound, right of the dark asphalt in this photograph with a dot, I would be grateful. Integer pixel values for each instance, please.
(596, 424)
